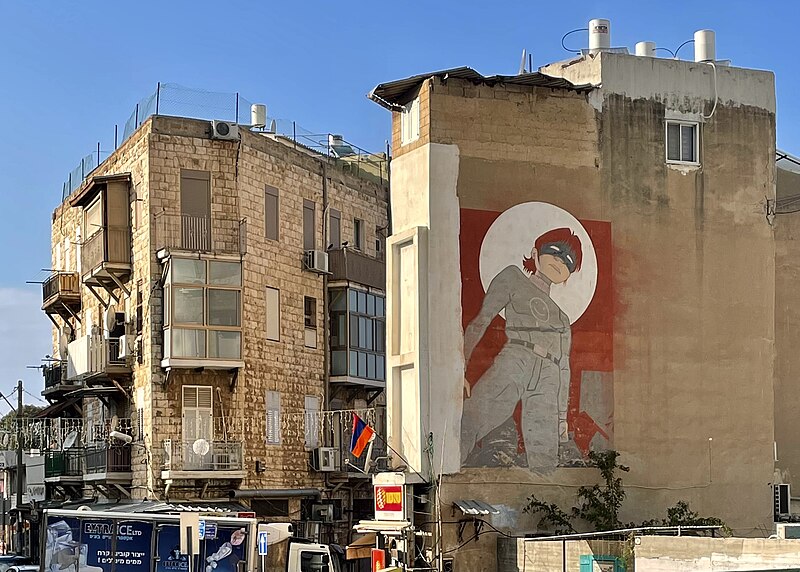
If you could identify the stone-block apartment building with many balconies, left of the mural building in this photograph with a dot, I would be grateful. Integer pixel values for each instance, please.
(219, 317)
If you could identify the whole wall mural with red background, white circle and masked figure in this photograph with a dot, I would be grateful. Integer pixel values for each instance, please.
(538, 315)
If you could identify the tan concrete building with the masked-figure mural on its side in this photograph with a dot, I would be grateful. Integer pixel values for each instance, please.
(580, 261)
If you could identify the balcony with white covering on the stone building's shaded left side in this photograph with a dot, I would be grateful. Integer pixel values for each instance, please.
(95, 356)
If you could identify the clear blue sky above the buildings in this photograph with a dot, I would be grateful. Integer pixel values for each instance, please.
(72, 70)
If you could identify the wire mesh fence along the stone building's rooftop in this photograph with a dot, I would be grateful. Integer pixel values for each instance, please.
(180, 101)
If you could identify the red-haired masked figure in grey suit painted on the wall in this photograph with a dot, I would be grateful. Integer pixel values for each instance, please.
(533, 366)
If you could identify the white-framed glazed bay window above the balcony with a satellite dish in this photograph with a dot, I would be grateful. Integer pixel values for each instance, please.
(203, 310)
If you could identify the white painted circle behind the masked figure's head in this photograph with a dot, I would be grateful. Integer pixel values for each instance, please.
(511, 237)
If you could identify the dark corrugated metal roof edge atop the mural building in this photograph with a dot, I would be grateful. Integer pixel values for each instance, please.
(391, 94)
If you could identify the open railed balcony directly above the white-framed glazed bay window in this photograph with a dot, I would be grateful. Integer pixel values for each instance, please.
(215, 234)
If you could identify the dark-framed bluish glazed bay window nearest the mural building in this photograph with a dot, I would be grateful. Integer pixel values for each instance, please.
(358, 334)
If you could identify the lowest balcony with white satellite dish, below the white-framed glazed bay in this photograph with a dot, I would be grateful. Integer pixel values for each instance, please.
(190, 460)
